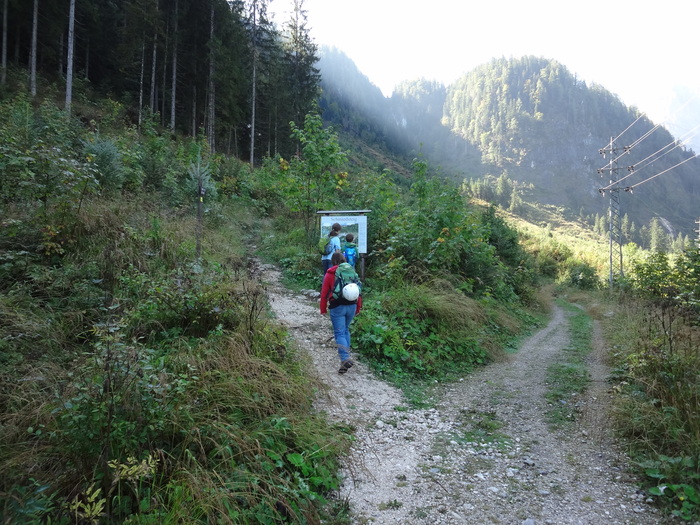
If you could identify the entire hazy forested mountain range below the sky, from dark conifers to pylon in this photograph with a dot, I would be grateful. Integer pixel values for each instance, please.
(533, 121)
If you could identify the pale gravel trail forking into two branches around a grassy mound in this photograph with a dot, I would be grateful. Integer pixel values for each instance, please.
(484, 453)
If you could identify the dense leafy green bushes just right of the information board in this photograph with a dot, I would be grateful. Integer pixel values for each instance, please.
(438, 233)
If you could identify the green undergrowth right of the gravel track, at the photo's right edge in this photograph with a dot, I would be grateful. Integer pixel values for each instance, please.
(655, 372)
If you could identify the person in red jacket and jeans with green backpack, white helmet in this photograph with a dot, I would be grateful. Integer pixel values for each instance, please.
(341, 297)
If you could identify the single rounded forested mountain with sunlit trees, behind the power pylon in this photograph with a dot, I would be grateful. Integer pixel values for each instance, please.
(535, 119)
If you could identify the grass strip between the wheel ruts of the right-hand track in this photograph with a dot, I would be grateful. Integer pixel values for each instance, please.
(569, 377)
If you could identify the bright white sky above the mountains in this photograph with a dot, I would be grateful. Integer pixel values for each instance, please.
(641, 51)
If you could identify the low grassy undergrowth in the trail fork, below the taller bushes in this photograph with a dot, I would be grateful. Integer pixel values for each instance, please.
(432, 331)
